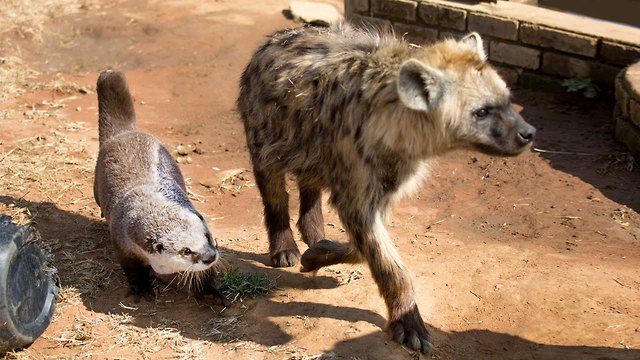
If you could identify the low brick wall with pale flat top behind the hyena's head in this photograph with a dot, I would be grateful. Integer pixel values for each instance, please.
(530, 46)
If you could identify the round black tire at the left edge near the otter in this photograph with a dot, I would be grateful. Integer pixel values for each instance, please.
(28, 286)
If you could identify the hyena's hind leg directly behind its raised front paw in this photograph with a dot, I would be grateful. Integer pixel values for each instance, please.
(311, 221)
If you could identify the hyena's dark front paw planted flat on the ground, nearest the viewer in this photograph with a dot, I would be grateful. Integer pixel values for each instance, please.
(410, 330)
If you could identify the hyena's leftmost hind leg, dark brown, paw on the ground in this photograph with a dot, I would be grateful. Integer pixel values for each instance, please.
(282, 248)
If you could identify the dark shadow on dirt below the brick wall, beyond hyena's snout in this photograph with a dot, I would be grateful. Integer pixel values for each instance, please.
(576, 136)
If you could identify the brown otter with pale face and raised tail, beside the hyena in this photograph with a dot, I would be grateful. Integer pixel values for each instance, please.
(154, 227)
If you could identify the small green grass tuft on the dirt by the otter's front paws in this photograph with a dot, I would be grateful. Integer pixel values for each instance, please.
(236, 285)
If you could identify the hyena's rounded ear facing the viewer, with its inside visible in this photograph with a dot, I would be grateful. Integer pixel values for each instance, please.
(419, 86)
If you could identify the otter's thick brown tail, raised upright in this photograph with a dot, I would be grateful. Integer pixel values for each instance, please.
(115, 105)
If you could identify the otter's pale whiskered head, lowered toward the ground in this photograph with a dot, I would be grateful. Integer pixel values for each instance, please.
(176, 241)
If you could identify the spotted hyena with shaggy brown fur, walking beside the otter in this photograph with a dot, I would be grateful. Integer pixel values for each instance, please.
(362, 114)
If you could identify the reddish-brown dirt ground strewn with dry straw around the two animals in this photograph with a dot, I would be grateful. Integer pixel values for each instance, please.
(533, 257)
